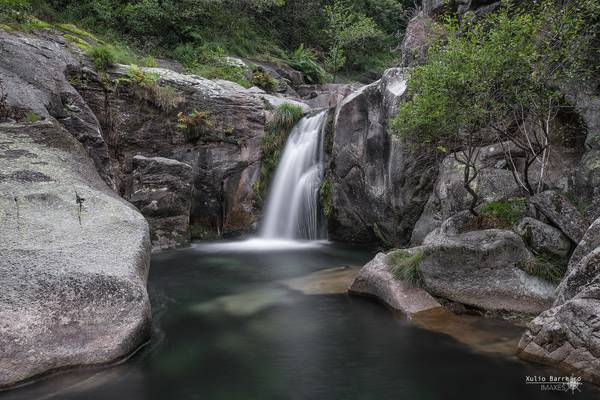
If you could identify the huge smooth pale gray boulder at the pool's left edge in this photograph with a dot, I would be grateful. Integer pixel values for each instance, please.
(73, 274)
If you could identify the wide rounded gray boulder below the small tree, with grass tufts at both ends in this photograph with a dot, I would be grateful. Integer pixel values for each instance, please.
(480, 269)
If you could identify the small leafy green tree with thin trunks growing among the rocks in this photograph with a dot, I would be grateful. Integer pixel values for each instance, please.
(499, 72)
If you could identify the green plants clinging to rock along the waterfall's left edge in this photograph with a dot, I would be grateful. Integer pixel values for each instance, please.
(273, 143)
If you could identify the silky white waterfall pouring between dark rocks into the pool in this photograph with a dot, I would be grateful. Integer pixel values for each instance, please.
(292, 208)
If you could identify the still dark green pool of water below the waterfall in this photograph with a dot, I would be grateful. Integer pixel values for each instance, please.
(229, 325)
